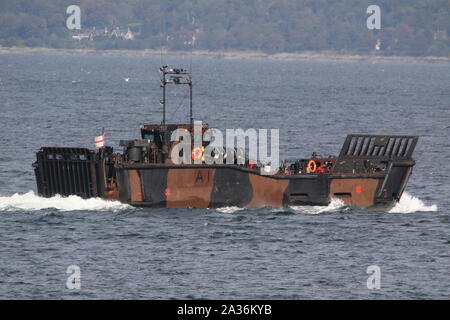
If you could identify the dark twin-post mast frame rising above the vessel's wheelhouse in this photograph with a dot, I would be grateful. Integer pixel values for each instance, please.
(175, 76)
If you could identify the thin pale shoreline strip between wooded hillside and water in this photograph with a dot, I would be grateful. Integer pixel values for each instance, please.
(324, 56)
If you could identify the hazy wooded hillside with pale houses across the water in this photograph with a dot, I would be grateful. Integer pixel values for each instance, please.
(408, 27)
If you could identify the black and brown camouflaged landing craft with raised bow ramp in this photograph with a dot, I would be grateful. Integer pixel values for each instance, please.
(371, 171)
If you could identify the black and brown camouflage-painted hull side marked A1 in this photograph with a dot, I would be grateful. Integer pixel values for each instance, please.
(220, 186)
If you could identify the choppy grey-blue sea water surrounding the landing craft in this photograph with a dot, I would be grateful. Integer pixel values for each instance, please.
(279, 253)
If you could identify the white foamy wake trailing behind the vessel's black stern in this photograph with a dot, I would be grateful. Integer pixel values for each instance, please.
(31, 202)
